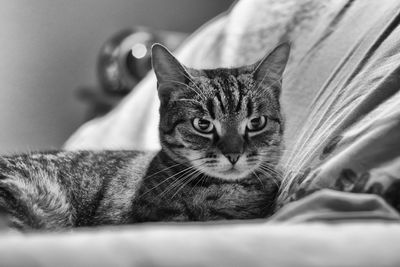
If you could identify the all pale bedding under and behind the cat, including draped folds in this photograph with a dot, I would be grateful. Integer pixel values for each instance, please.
(339, 202)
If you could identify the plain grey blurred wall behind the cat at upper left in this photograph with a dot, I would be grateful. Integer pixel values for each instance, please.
(50, 47)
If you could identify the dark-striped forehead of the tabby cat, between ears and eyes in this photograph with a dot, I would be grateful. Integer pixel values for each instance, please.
(229, 94)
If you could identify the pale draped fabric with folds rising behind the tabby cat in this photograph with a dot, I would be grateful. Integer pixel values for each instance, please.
(340, 97)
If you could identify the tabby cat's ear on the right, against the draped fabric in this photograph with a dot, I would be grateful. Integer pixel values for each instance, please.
(271, 67)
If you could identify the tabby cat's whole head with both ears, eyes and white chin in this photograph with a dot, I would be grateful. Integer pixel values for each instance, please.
(225, 122)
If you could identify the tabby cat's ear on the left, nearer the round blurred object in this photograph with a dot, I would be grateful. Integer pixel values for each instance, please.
(166, 67)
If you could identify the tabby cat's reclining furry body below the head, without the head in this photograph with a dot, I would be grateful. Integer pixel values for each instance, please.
(57, 190)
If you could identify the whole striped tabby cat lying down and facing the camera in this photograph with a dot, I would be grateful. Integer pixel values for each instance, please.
(221, 136)
